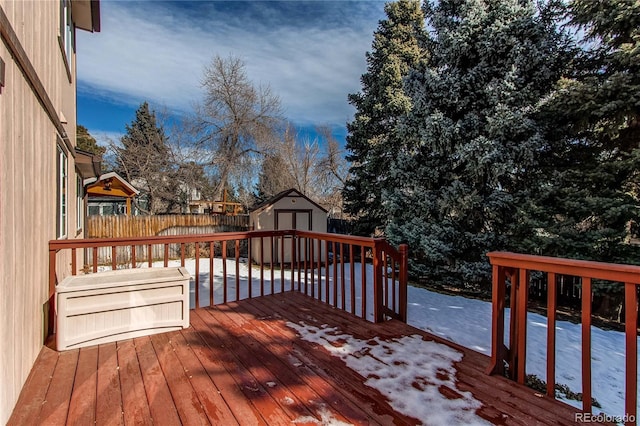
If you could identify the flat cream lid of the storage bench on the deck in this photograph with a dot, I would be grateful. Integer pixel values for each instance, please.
(125, 277)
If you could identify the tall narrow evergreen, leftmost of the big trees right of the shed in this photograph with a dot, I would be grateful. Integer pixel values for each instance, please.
(395, 51)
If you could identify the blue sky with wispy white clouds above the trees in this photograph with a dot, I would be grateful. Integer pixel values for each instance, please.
(311, 53)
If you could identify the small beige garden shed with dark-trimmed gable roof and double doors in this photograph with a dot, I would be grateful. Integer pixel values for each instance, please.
(289, 209)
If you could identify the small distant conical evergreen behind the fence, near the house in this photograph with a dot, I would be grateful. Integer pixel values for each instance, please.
(144, 159)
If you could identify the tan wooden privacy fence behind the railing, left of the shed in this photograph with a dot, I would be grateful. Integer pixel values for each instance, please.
(147, 226)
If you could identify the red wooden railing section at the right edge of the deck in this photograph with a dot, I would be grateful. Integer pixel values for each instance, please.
(517, 268)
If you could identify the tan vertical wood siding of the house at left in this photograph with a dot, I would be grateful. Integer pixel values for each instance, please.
(28, 138)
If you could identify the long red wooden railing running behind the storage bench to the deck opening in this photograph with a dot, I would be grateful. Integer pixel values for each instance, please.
(318, 264)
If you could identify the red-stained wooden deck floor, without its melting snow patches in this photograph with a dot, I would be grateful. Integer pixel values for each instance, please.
(241, 364)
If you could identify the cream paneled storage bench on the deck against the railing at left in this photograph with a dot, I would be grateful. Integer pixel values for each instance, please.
(116, 305)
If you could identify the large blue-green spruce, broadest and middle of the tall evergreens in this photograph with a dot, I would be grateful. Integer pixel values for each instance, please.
(472, 138)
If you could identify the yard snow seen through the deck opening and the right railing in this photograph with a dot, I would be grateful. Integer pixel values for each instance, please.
(468, 323)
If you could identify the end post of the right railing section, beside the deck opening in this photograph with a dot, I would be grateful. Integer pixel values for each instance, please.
(497, 321)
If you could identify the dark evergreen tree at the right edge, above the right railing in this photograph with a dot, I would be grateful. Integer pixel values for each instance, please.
(592, 167)
